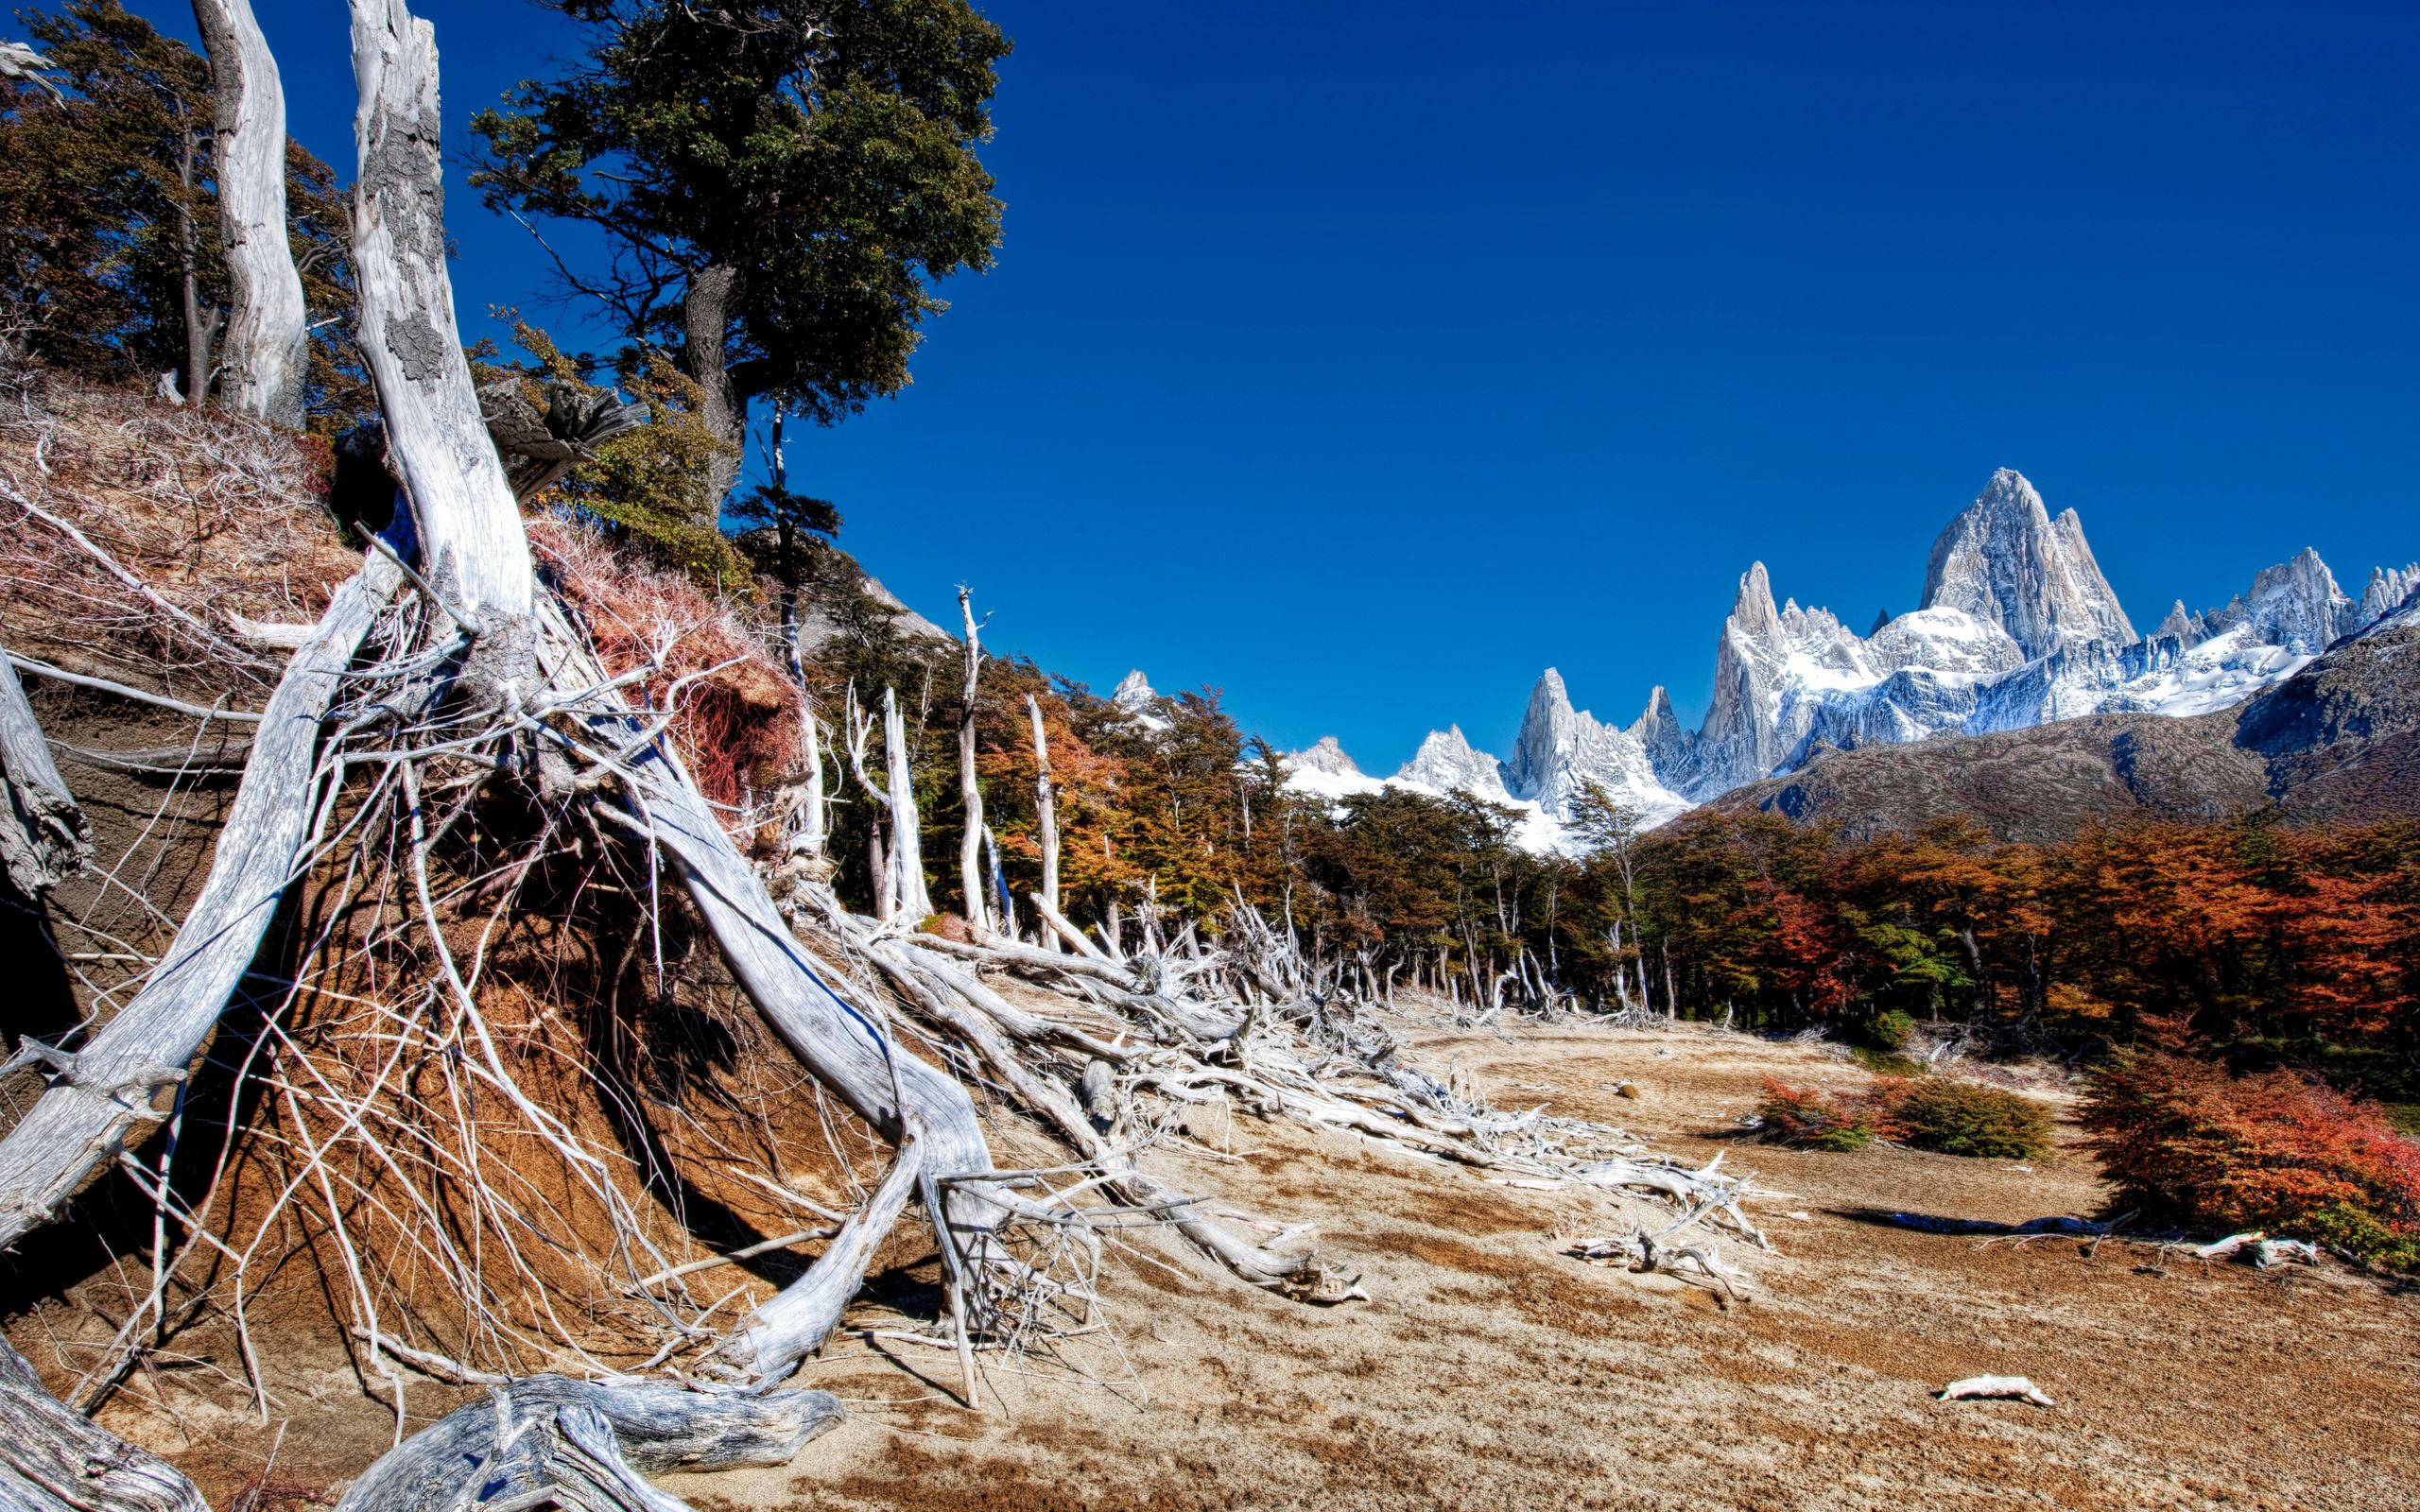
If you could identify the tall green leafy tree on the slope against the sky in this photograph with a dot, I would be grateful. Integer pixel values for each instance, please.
(780, 185)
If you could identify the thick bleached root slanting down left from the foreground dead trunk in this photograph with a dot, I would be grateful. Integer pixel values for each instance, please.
(83, 1119)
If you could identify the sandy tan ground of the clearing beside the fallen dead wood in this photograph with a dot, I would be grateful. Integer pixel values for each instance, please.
(1494, 1370)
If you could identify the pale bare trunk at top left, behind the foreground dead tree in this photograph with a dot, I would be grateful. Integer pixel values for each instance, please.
(267, 347)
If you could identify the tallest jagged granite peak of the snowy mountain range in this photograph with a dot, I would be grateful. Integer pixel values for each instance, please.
(2007, 562)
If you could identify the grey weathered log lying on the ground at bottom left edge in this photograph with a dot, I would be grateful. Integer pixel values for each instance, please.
(582, 1445)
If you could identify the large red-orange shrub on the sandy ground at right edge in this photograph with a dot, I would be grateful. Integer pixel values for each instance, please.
(2283, 1153)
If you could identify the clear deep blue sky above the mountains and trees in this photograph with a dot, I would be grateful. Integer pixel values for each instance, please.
(1369, 359)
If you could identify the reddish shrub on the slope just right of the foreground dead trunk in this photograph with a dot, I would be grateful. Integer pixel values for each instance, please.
(737, 720)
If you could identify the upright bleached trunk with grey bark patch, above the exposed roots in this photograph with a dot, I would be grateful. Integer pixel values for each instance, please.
(473, 546)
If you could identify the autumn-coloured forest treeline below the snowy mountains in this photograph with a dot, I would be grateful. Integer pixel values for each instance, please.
(2247, 940)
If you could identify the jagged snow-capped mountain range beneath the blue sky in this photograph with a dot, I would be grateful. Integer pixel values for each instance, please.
(2017, 628)
